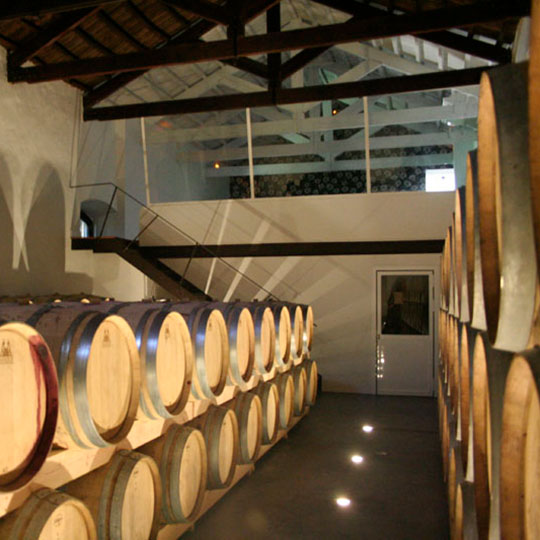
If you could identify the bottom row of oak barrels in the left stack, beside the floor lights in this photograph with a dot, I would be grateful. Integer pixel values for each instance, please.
(165, 481)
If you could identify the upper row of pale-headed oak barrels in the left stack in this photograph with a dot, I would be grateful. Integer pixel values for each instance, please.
(79, 375)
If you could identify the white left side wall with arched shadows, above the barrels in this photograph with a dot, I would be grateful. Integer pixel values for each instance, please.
(37, 207)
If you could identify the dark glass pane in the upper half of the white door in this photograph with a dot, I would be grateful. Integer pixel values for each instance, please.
(405, 304)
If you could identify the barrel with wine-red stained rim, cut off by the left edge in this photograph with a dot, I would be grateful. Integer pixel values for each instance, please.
(28, 404)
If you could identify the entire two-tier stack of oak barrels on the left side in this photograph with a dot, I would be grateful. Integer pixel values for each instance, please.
(221, 379)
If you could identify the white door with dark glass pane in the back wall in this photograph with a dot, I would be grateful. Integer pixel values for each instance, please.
(404, 347)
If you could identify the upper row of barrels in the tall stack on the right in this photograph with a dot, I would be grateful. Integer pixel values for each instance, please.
(489, 274)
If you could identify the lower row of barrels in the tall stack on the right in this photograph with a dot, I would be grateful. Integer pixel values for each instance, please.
(489, 417)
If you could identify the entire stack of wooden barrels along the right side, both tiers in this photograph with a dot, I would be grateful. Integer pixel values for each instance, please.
(489, 324)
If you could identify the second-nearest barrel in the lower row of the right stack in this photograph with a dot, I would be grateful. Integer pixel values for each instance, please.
(490, 367)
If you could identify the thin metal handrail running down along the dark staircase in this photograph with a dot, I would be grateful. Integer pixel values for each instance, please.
(156, 216)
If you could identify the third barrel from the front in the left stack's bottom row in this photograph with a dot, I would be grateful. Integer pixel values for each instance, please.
(182, 459)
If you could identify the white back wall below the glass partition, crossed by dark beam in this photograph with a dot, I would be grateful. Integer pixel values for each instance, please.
(340, 289)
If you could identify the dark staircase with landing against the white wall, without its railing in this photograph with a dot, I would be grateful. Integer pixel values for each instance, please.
(152, 267)
